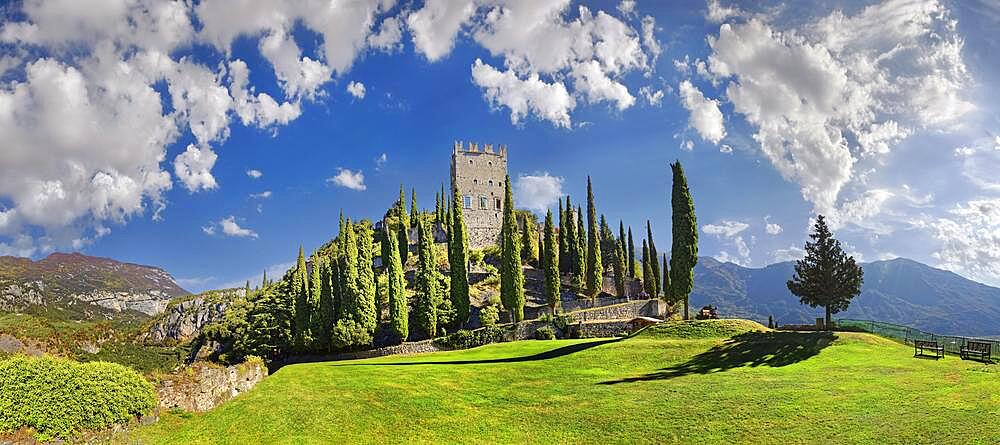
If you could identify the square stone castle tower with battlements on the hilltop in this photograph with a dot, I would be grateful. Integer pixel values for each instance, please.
(478, 175)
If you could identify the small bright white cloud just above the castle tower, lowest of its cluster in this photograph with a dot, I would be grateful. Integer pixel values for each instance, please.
(549, 101)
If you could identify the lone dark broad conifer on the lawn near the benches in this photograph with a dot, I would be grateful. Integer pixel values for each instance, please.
(826, 276)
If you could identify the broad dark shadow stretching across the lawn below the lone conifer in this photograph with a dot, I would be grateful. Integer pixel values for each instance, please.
(753, 349)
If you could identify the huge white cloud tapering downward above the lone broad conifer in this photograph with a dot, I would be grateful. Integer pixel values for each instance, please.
(839, 87)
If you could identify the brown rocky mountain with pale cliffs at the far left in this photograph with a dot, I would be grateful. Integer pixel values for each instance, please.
(75, 286)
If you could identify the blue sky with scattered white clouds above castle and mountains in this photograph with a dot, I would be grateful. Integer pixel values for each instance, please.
(131, 126)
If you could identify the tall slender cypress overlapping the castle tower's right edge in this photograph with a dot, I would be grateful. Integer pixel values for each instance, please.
(511, 275)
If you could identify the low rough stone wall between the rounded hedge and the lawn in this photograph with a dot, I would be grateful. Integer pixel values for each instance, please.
(203, 386)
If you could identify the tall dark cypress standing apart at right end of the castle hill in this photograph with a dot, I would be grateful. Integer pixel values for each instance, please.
(684, 251)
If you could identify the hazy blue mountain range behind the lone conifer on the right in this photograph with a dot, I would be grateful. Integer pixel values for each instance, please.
(897, 291)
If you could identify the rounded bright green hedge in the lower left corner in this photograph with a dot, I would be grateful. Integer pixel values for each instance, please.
(58, 397)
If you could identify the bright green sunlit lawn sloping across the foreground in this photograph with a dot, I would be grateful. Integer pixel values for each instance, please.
(674, 383)
